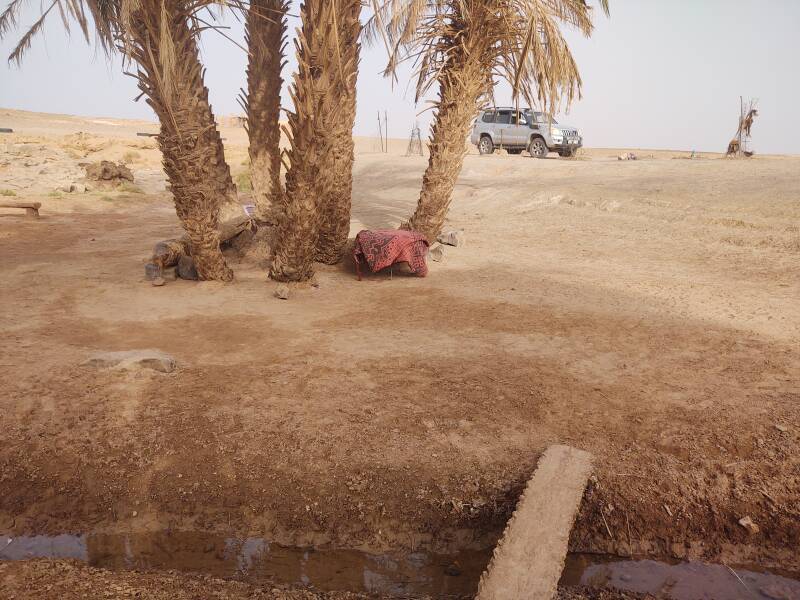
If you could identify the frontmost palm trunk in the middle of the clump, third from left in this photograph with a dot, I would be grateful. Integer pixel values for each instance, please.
(315, 94)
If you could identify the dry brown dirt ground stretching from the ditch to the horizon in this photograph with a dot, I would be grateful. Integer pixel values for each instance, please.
(646, 311)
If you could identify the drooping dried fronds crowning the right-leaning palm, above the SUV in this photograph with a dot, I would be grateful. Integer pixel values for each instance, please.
(522, 41)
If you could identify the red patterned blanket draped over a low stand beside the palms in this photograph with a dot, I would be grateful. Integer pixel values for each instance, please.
(384, 247)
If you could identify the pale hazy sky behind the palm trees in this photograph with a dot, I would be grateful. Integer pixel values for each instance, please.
(657, 74)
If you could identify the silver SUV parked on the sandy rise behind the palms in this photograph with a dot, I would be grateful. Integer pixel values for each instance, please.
(524, 129)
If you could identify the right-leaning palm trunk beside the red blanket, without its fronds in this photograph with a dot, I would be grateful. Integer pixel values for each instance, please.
(463, 80)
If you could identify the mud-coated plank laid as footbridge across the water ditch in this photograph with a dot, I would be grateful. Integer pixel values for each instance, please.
(529, 559)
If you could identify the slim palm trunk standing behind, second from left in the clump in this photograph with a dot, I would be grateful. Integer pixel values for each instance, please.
(265, 32)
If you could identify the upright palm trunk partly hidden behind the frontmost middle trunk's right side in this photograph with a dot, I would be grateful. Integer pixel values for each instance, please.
(336, 204)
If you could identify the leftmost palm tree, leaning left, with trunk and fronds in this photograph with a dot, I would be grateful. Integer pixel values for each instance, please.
(160, 37)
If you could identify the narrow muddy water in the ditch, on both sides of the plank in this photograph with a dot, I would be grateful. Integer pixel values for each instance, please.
(411, 574)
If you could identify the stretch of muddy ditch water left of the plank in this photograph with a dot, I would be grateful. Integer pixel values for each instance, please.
(258, 561)
